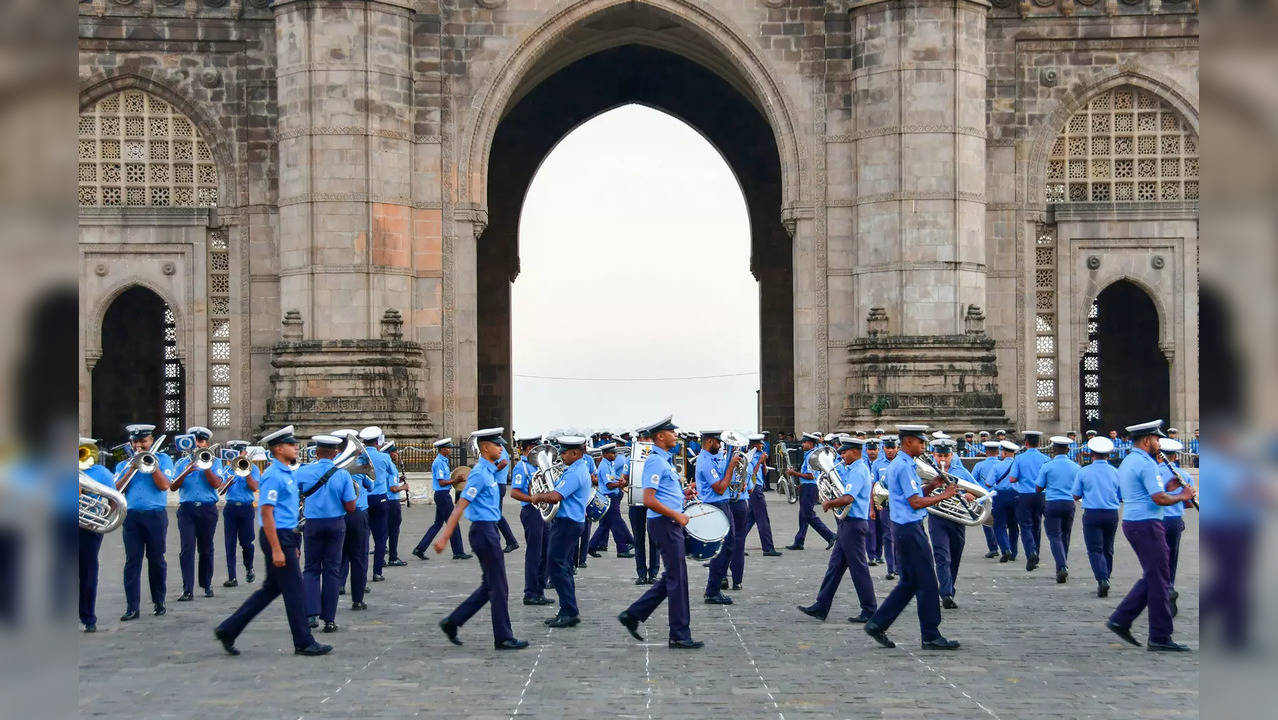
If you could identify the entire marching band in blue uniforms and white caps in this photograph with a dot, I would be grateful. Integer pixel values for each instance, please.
(687, 497)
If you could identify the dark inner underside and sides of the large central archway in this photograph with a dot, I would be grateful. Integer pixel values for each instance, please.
(558, 98)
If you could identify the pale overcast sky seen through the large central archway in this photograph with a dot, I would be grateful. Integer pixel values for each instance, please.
(635, 217)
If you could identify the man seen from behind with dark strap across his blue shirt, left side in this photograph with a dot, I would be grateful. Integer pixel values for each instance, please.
(329, 496)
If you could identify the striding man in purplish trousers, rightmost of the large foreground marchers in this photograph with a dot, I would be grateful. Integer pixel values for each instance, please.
(1144, 498)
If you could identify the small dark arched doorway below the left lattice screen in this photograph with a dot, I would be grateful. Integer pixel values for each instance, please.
(140, 377)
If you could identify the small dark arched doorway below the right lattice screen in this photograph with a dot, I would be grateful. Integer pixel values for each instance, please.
(1124, 373)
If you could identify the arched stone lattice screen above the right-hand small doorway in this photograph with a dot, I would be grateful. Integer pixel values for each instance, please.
(1128, 145)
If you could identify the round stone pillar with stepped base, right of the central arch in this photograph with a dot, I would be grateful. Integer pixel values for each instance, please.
(920, 104)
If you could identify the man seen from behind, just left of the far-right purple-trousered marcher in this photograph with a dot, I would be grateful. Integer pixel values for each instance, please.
(1097, 485)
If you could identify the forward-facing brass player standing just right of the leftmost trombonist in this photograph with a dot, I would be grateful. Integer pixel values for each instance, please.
(197, 516)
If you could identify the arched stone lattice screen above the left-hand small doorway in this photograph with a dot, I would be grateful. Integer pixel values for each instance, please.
(139, 152)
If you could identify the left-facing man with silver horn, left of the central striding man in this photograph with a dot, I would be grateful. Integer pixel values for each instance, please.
(572, 493)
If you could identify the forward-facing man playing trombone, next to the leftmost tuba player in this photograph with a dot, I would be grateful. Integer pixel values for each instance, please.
(146, 522)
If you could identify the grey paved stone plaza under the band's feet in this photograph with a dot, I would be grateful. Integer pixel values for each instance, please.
(1031, 649)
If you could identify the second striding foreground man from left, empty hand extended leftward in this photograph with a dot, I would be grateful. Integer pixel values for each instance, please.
(481, 503)
